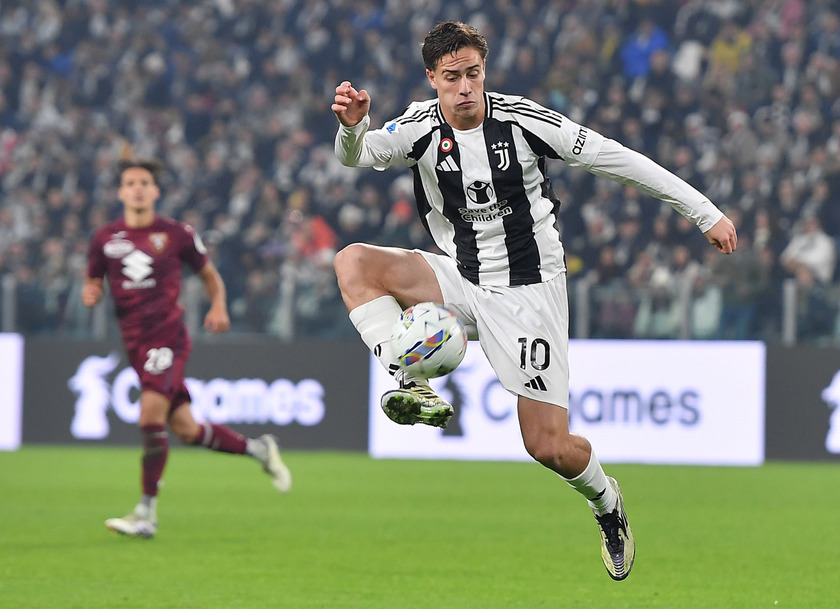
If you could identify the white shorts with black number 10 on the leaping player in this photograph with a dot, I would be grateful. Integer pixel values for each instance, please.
(523, 330)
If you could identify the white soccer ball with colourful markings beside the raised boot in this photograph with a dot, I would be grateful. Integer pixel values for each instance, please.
(428, 340)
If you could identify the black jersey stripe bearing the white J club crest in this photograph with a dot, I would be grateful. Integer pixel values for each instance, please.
(508, 183)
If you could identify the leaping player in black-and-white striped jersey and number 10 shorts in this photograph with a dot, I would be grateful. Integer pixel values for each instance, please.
(479, 165)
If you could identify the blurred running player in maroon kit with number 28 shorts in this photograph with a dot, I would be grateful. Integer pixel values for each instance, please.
(142, 255)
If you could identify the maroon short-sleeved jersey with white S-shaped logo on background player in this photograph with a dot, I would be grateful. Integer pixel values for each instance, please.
(143, 268)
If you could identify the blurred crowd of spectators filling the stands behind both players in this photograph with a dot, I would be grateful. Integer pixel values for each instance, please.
(738, 97)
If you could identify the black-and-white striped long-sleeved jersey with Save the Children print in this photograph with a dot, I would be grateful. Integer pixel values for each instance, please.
(484, 195)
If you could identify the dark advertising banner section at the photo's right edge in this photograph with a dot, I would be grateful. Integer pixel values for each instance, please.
(803, 403)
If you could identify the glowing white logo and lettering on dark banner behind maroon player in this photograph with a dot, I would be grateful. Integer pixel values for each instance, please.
(219, 400)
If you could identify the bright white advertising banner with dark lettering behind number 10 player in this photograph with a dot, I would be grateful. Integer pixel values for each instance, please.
(667, 402)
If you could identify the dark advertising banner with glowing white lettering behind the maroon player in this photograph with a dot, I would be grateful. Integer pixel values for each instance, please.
(311, 395)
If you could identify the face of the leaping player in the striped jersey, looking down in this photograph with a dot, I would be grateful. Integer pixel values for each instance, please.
(459, 81)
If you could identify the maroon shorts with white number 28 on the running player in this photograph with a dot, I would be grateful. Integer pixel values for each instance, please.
(160, 364)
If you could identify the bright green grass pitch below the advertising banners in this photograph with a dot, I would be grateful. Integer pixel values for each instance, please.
(359, 533)
